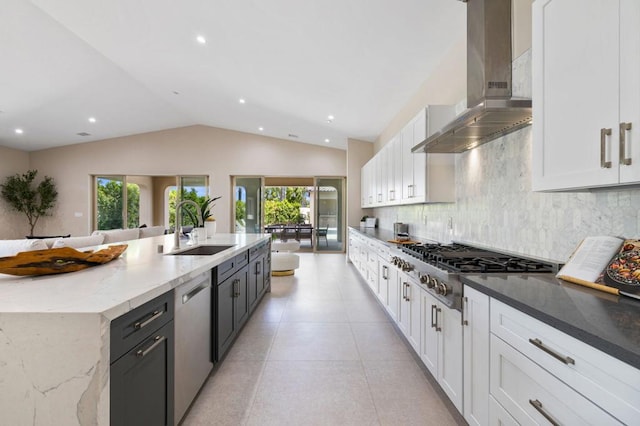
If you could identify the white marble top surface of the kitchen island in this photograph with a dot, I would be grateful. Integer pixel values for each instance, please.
(137, 276)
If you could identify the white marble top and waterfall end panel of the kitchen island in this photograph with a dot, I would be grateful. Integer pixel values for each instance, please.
(55, 330)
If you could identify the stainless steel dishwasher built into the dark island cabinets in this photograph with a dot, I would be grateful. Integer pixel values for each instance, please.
(192, 341)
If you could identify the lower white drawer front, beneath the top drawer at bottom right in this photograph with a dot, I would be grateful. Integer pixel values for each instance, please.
(534, 396)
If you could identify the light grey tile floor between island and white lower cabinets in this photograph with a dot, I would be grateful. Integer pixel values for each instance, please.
(320, 350)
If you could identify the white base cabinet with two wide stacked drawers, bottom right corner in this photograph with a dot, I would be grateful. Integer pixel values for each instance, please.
(574, 382)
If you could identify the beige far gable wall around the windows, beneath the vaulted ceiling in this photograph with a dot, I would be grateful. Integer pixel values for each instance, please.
(194, 150)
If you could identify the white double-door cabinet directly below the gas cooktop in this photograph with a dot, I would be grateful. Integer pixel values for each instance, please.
(441, 346)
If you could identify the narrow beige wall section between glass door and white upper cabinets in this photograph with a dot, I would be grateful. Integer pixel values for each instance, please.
(358, 153)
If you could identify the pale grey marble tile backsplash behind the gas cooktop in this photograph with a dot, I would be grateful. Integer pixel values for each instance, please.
(496, 208)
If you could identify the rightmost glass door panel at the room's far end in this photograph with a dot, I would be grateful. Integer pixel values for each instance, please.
(329, 218)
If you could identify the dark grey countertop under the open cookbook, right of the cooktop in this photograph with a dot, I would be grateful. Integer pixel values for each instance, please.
(607, 322)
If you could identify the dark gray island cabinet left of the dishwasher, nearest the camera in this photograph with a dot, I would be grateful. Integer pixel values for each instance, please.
(142, 365)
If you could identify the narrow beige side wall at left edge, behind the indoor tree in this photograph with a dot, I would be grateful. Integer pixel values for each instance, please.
(13, 224)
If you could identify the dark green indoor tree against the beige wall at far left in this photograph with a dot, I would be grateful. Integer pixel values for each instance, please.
(18, 191)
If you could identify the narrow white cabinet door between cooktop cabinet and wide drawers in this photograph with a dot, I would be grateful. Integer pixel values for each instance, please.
(475, 312)
